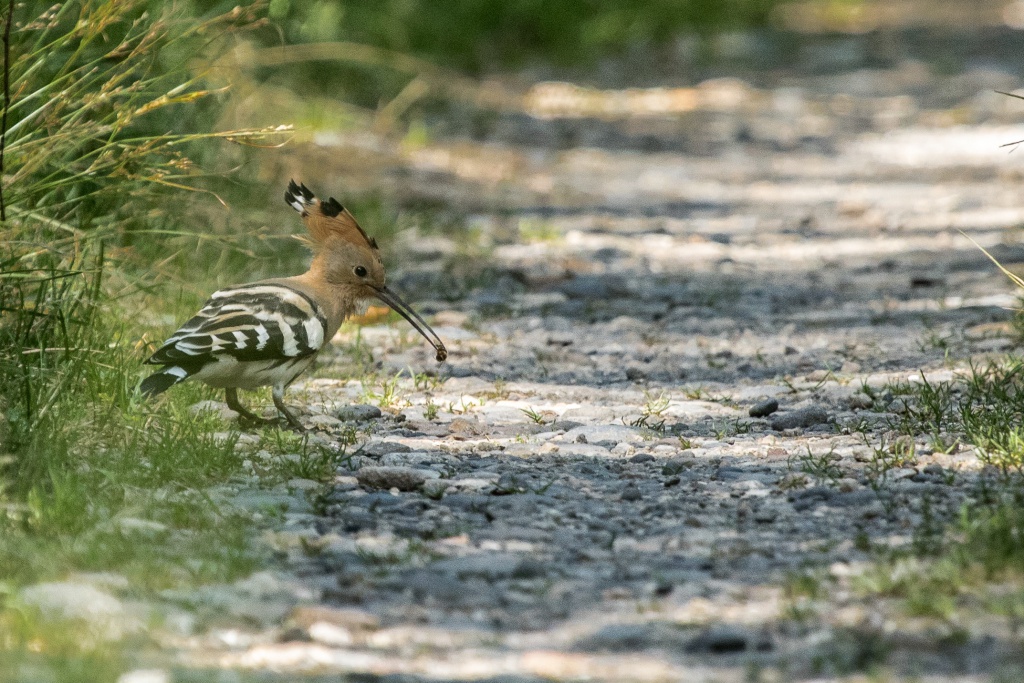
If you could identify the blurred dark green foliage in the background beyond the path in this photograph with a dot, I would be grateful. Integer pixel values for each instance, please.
(477, 35)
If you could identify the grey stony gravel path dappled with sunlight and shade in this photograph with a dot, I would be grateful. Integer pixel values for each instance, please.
(670, 338)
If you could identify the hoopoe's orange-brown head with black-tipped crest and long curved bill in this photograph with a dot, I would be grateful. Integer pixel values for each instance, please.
(350, 259)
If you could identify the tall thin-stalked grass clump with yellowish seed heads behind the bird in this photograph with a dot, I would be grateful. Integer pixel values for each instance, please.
(104, 112)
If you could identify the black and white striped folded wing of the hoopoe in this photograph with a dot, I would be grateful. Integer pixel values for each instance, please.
(249, 323)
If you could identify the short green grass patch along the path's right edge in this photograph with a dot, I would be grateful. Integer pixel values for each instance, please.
(972, 571)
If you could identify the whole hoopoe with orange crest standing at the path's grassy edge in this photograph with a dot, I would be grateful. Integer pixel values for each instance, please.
(269, 333)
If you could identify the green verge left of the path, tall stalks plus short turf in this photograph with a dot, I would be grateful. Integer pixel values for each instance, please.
(111, 122)
